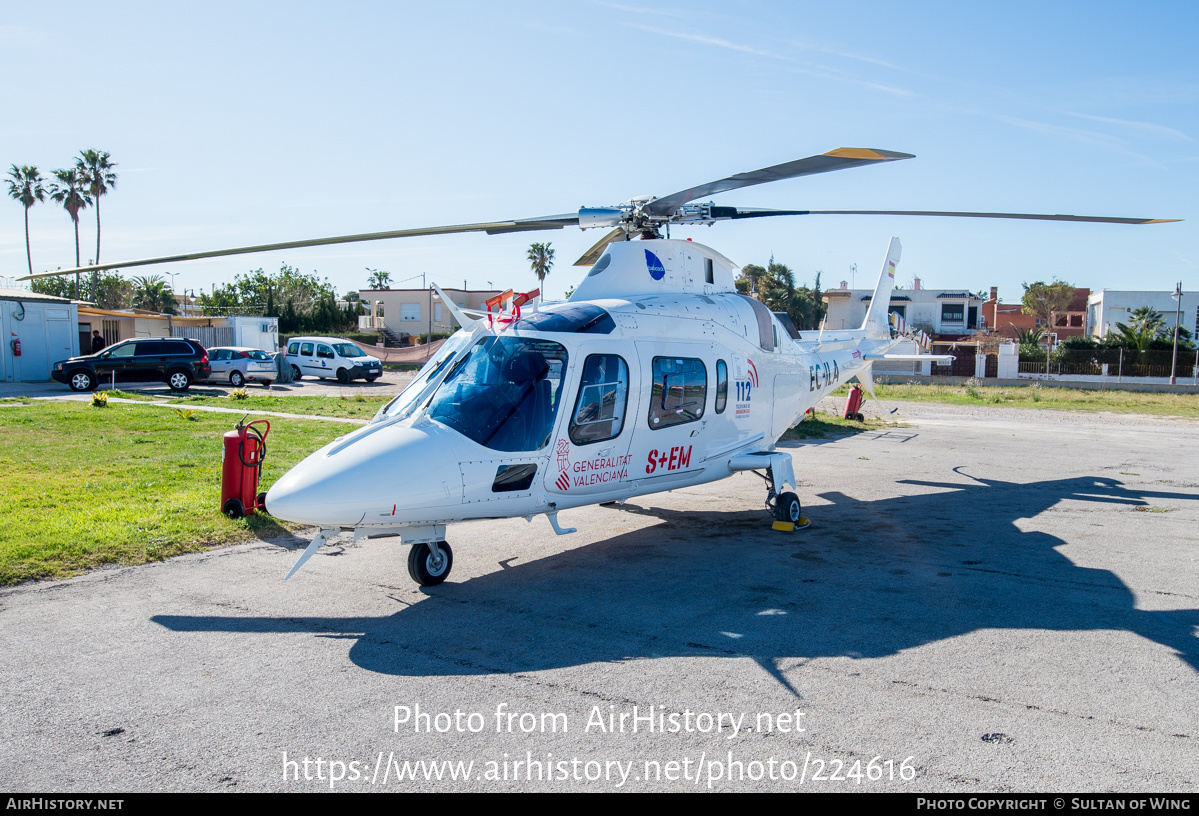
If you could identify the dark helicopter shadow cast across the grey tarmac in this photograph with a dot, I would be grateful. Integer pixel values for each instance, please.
(875, 578)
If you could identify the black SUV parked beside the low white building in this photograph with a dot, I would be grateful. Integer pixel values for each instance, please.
(174, 360)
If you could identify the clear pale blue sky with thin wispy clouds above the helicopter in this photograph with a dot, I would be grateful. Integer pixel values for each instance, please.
(250, 123)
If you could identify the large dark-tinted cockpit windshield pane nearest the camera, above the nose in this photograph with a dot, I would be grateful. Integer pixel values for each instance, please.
(504, 394)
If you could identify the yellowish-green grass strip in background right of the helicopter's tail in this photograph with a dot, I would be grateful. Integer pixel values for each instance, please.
(1038, 397)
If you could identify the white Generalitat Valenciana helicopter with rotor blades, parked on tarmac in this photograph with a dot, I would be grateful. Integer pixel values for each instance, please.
(656, 374)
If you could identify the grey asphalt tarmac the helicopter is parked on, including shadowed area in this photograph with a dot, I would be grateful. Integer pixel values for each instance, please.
(990, 600)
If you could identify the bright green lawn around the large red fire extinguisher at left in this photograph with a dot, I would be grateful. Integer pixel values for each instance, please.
(124, 486)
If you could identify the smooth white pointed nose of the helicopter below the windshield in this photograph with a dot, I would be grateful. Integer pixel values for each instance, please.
(369, 477)
